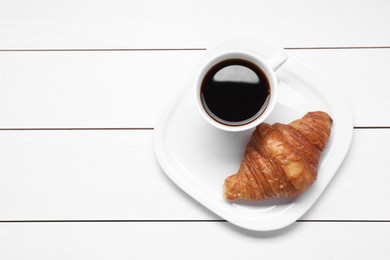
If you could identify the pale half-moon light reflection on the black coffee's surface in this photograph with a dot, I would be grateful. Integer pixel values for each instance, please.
(236, 73)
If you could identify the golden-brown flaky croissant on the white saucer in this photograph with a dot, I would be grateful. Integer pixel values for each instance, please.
(280, 160)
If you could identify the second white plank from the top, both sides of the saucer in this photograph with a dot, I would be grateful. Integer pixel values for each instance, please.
(129, 89)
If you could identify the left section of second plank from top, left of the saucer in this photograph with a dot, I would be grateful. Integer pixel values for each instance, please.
(88, 89)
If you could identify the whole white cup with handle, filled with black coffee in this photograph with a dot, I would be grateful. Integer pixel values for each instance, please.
(235, 88)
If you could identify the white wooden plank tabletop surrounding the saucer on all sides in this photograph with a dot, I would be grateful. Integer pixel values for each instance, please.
(82, 83)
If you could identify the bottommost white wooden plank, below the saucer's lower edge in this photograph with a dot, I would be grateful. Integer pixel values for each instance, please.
(192, 241)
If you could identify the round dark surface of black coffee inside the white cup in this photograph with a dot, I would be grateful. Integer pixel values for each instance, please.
(235, 92)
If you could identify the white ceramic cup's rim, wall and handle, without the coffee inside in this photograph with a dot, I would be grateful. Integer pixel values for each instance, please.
(231, 50)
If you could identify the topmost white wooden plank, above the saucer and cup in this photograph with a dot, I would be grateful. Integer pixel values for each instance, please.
(99, 24)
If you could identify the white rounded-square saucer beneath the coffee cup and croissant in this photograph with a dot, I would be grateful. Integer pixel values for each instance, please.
(198, 157)
